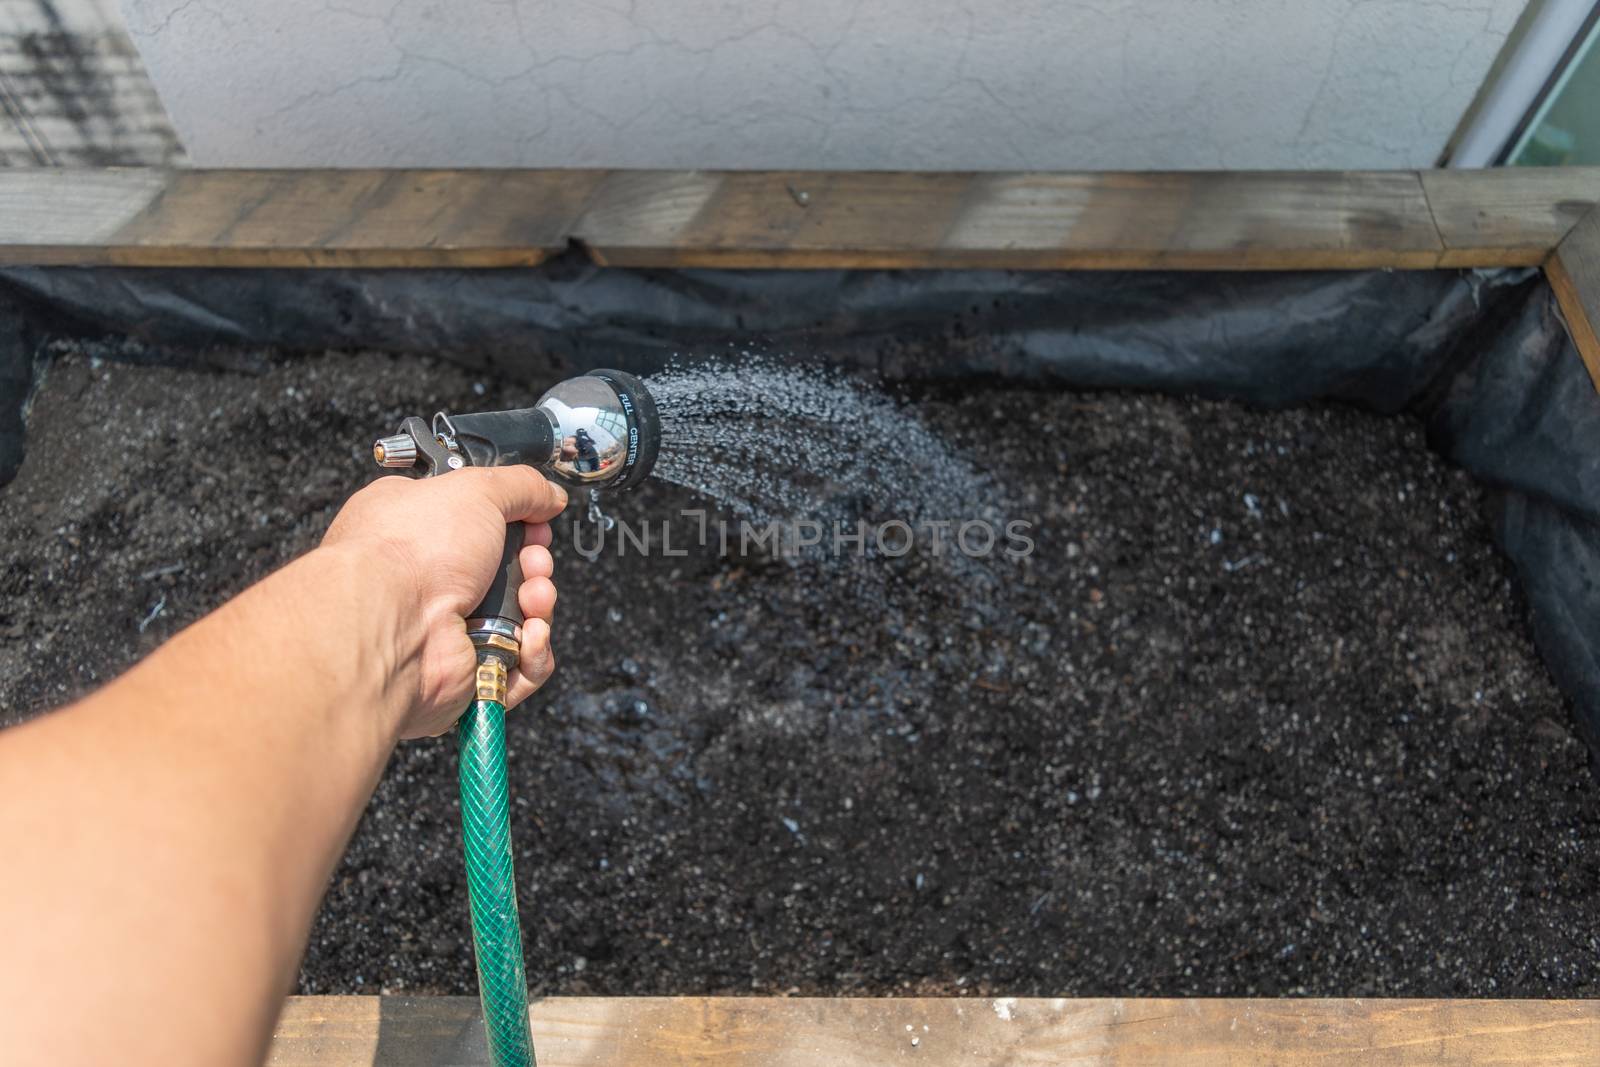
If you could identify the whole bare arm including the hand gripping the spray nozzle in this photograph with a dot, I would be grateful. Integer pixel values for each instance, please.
(166, 842)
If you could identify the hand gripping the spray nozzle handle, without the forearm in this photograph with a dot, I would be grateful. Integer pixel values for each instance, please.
(441, 540)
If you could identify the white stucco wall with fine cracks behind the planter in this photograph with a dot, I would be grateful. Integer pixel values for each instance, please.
(818, 84)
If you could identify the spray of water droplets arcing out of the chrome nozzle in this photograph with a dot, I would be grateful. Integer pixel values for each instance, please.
(782, 444)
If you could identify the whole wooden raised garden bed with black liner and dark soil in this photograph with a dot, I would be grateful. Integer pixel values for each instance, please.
(1292, 697)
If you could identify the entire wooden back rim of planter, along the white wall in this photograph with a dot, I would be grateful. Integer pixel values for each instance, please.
(474, 218)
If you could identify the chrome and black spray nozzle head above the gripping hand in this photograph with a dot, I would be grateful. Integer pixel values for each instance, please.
(594, 431)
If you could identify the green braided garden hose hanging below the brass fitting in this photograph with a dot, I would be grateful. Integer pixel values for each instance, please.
(492, 885)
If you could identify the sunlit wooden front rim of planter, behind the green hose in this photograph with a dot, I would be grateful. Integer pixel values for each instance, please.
(862, 1033)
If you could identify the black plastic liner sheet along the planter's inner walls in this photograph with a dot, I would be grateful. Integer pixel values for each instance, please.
(1482, 358)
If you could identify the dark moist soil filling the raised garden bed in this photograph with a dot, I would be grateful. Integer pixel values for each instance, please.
(1260, 714)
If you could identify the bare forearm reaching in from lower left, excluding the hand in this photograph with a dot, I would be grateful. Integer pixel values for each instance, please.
(236, 762)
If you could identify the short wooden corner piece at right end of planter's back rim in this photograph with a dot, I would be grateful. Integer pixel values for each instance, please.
(1508, 217)
